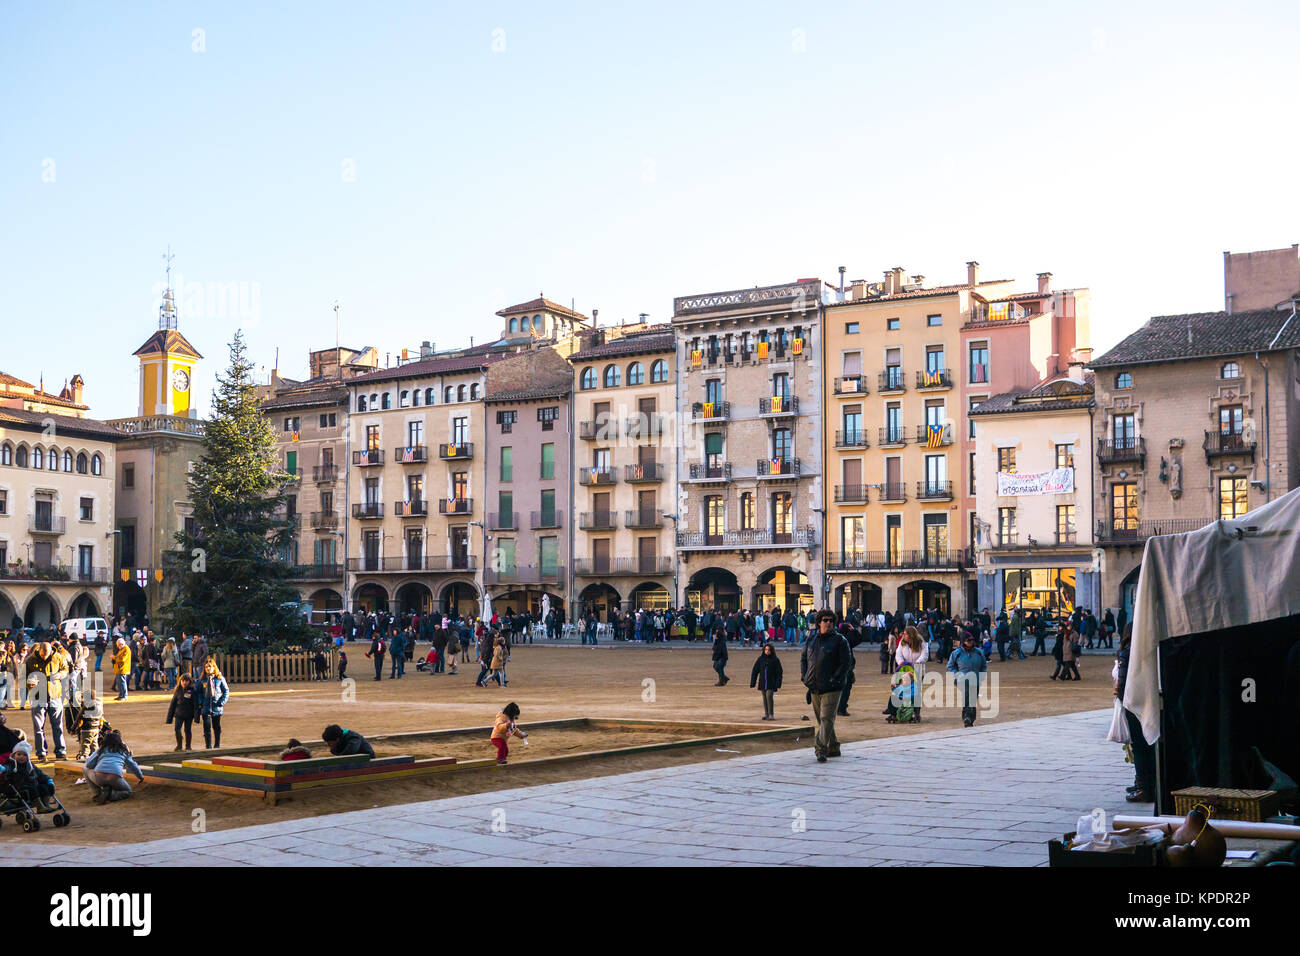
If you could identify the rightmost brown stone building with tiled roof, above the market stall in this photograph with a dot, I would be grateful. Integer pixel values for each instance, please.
(1198, 421)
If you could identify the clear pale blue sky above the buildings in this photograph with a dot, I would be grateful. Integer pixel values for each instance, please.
(616, 155)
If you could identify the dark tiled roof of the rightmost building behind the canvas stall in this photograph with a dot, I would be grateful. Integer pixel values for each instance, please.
(1204, 335)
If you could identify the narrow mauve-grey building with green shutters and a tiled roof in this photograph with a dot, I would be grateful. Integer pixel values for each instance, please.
(527, 512)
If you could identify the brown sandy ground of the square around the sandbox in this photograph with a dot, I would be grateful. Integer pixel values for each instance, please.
(548, 684)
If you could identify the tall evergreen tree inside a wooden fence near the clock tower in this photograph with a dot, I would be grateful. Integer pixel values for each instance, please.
(232, 582)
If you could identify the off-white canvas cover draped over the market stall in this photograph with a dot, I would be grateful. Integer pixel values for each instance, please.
(1225, 576)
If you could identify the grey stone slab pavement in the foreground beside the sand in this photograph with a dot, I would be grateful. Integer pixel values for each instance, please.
(991, 795)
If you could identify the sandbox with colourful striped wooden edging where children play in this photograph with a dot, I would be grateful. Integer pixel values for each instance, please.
(258, 772)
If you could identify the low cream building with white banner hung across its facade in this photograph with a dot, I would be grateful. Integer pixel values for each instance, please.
(1033, 482)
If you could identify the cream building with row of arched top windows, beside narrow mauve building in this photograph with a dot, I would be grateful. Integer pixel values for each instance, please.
(626, 477)
